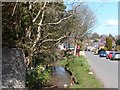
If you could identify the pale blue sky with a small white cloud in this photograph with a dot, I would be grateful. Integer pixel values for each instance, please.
(106, 12)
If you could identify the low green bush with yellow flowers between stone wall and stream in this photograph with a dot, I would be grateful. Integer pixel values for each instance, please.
(37, 77)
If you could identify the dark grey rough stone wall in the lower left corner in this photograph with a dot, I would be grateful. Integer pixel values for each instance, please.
(13, 68)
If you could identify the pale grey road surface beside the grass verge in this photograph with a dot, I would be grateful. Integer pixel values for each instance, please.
(105, 70)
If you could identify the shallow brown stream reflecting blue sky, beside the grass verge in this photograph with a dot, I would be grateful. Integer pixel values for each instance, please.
(60, 77)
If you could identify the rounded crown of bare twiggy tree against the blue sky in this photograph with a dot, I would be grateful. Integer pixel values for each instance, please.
(85, 19)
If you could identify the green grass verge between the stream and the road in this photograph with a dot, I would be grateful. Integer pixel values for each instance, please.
(80, 70)
